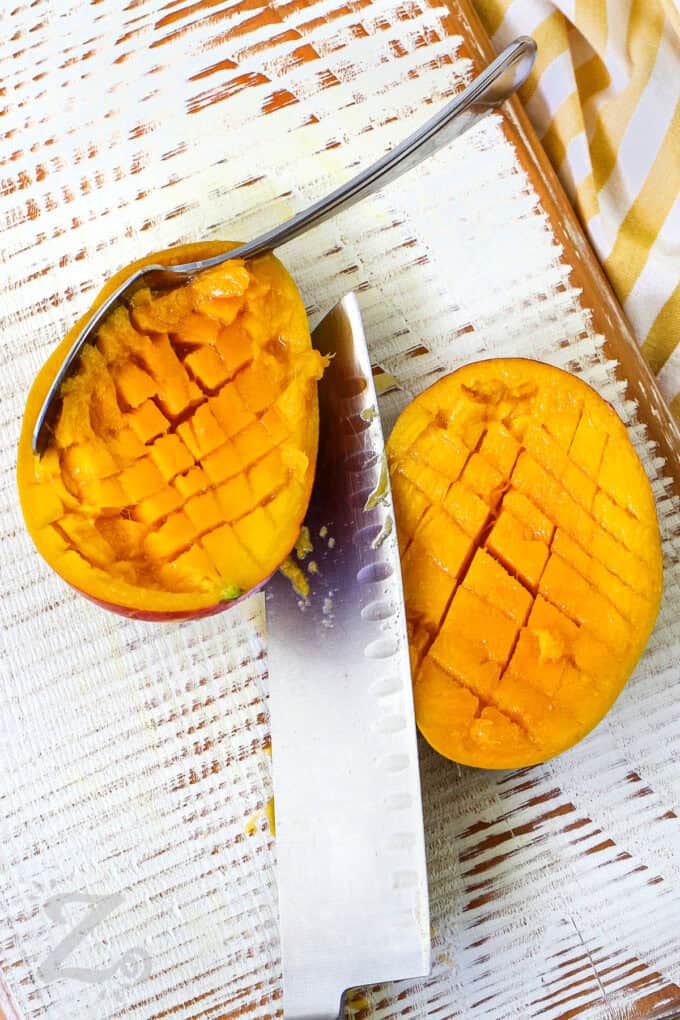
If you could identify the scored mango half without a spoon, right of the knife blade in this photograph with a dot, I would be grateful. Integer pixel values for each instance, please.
(532, 559)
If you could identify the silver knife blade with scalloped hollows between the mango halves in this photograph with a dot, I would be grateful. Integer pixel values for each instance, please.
(350, 845)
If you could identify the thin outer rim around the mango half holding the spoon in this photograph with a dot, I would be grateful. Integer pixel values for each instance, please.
(155, 606)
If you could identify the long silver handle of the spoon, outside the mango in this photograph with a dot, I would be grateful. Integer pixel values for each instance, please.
(486, 93)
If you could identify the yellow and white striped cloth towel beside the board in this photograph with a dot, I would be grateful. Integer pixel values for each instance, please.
(605, 99)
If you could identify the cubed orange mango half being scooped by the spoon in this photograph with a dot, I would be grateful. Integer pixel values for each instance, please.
(181, 466)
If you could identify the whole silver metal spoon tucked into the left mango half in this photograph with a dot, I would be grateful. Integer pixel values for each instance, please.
(486, 93)
